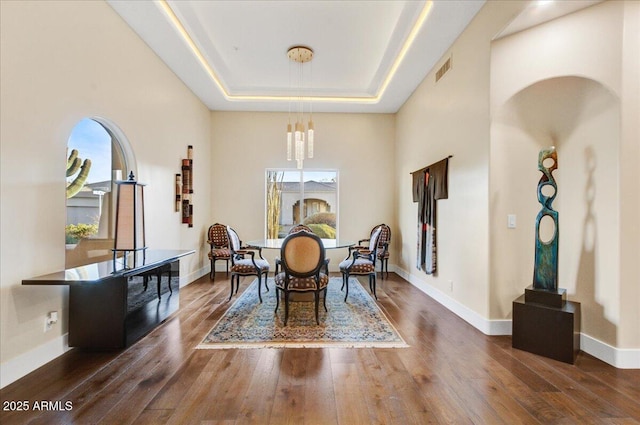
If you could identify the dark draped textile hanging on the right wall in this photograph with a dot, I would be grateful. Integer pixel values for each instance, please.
(429, 184)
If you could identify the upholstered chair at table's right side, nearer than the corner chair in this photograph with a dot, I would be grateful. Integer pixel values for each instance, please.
(362, 262)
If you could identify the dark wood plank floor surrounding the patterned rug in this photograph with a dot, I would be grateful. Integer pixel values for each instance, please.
(452, 373)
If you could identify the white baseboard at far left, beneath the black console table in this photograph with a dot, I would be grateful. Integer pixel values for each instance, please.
(16, 368)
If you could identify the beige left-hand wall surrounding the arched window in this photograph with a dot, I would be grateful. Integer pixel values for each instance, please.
(61, 62)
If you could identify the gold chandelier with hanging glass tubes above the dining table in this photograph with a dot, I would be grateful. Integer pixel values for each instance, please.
(296, 134)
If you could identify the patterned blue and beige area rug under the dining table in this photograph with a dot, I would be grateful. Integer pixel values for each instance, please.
(357, 323)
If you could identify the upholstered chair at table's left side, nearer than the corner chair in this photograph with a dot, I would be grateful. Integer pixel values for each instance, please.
(243, 266)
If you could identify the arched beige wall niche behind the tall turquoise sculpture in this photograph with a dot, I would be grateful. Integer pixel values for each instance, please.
(581, 118)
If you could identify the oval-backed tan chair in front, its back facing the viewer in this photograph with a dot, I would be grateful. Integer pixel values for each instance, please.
(302, 257)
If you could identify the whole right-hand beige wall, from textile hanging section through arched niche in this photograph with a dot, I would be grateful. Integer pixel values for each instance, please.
(593, 106)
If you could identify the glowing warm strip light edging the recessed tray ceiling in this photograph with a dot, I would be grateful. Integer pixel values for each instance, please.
(422, 17)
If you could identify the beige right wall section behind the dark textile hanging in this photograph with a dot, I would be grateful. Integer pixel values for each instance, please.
(451, 117)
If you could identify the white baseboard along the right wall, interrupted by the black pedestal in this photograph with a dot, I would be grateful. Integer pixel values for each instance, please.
(617, 357)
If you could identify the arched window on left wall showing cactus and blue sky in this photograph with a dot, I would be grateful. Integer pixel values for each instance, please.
(95, 159)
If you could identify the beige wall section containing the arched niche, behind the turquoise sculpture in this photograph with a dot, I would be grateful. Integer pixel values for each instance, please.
(573, 101)
